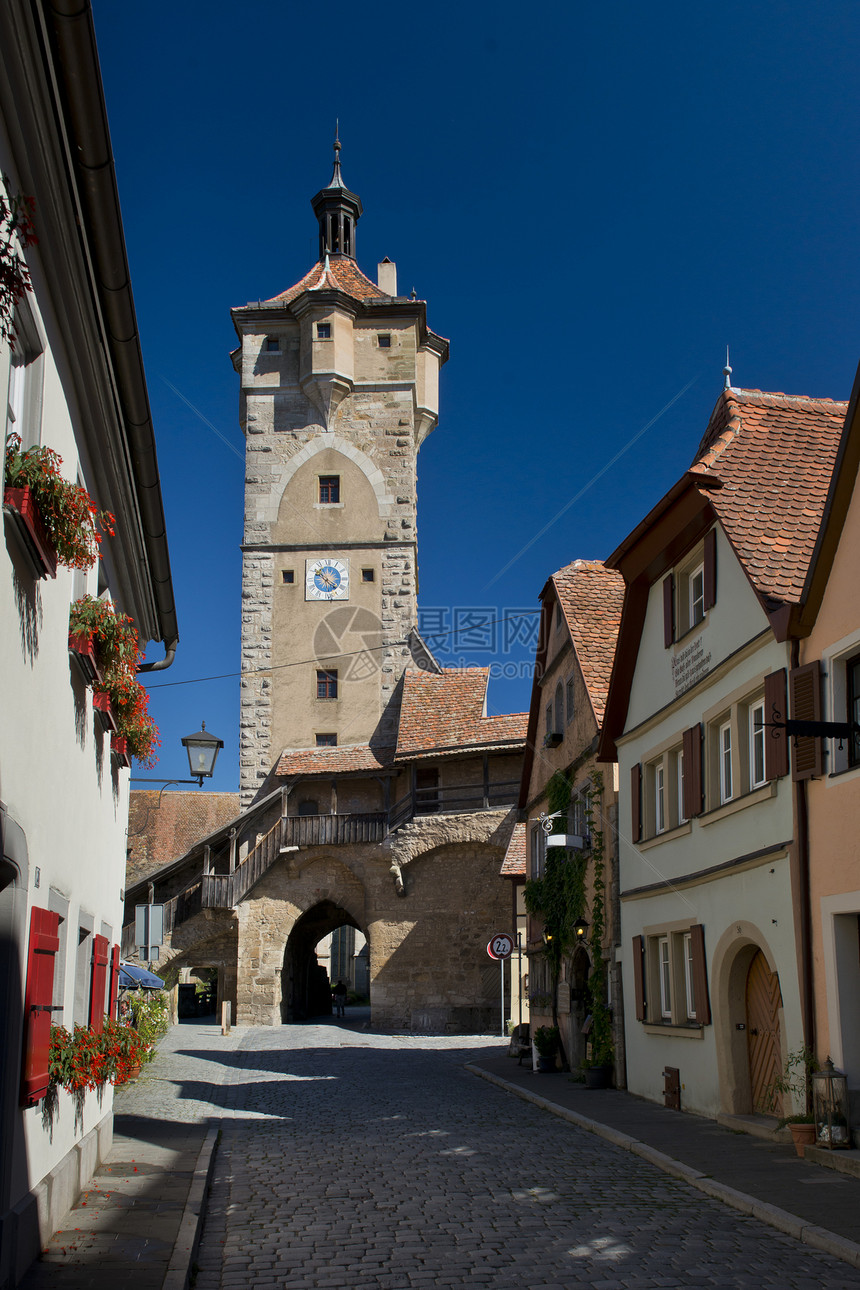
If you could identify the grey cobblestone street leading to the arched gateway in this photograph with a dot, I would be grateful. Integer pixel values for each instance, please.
(351, 1160)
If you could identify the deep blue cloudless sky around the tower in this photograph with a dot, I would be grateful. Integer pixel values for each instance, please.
(594, 201)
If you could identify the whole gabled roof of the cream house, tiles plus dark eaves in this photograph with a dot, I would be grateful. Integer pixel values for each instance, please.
(763, 471)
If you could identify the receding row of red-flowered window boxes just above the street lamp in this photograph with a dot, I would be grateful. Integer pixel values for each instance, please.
(119, 693)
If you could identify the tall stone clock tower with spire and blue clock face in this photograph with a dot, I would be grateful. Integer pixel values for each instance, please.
(340, 388)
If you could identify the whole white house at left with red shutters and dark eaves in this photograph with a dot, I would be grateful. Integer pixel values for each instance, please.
(74, 382)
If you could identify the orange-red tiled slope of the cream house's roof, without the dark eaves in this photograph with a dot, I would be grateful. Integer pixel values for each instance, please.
(774, 457)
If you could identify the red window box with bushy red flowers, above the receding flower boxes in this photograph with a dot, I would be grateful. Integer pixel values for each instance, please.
(57, 521)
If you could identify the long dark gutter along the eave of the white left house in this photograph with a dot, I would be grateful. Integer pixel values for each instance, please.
(73, 35)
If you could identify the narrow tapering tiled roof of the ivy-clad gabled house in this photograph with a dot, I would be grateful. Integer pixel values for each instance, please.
(592, 598)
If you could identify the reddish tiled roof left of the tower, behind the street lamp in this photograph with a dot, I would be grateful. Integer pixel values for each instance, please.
(161, 831)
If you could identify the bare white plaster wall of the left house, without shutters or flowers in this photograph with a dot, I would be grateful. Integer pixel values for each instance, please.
(56, 776)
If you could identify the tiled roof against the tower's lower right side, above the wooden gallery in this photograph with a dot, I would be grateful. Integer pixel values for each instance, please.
(447, 713)
